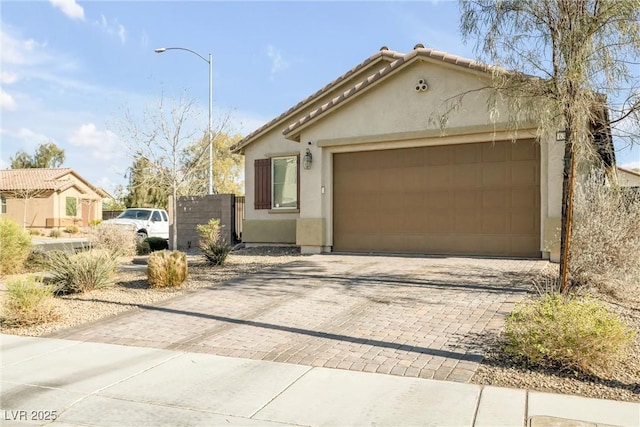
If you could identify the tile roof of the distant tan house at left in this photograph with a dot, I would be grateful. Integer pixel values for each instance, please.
(39, 179)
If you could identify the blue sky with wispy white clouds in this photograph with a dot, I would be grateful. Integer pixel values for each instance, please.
(69, 69)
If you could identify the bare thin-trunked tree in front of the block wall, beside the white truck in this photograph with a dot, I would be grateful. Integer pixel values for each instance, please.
(162, 136)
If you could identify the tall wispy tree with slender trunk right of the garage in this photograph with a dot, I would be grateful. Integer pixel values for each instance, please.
(572, 58)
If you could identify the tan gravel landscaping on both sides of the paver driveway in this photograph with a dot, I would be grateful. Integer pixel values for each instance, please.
(131, 291)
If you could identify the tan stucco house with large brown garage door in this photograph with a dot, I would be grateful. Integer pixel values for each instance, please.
(363, 166)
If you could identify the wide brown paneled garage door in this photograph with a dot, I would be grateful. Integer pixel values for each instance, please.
(472, 199)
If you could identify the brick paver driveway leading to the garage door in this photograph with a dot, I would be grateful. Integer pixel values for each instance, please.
(419, 317)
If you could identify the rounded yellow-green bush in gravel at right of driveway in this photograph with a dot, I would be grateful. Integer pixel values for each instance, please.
(578, 334)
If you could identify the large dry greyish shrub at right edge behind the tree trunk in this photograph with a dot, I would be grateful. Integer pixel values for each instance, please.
(605, 235)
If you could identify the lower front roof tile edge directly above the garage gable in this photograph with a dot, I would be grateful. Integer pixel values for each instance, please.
(418, 52)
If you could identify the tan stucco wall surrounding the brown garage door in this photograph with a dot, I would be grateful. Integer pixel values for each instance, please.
(393, 115)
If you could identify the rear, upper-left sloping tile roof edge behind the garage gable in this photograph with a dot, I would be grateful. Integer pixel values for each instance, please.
(383, 55)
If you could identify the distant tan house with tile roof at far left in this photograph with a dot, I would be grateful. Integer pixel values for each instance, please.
(47, 198)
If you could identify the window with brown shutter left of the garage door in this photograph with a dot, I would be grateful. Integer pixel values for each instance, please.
(277, 183)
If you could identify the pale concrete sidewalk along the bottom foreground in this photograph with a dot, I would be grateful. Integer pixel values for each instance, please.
(75, 383)
